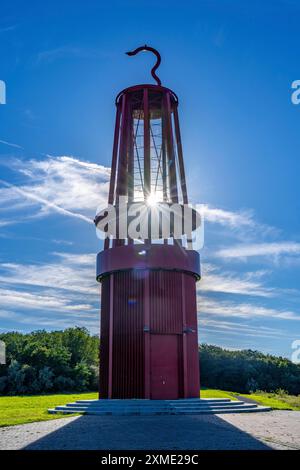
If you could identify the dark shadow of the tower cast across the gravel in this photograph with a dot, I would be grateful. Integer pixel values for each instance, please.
(147, 432)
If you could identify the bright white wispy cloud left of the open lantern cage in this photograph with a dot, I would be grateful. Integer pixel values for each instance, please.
(63, 185)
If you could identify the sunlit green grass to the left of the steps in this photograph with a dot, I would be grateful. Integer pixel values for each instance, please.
(28, 409)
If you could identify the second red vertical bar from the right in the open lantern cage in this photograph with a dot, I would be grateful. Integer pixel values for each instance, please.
(170, 151)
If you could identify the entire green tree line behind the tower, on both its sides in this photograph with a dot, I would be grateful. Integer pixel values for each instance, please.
(68, 361)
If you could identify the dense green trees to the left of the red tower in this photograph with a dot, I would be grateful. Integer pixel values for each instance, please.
(44, 362)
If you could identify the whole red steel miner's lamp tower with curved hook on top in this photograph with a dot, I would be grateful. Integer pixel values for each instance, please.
(149, 338)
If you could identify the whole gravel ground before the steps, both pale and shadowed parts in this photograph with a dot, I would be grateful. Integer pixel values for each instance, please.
(272, 430)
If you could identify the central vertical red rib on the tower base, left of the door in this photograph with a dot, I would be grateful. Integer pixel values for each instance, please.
(147, 391)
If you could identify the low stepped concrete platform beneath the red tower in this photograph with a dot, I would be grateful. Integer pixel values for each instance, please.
(189, 406)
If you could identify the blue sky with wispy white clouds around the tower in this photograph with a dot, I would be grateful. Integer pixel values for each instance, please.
(232, 64)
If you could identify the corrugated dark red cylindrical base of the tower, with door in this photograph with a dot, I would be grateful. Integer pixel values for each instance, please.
(149, 344)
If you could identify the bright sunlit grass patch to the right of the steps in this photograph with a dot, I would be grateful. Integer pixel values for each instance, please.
(276, 401)
